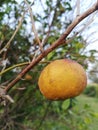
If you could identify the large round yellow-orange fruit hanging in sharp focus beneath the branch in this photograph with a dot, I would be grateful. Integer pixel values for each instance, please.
(62, 79)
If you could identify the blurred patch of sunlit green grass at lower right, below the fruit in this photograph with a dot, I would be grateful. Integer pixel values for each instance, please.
(90, 104)
